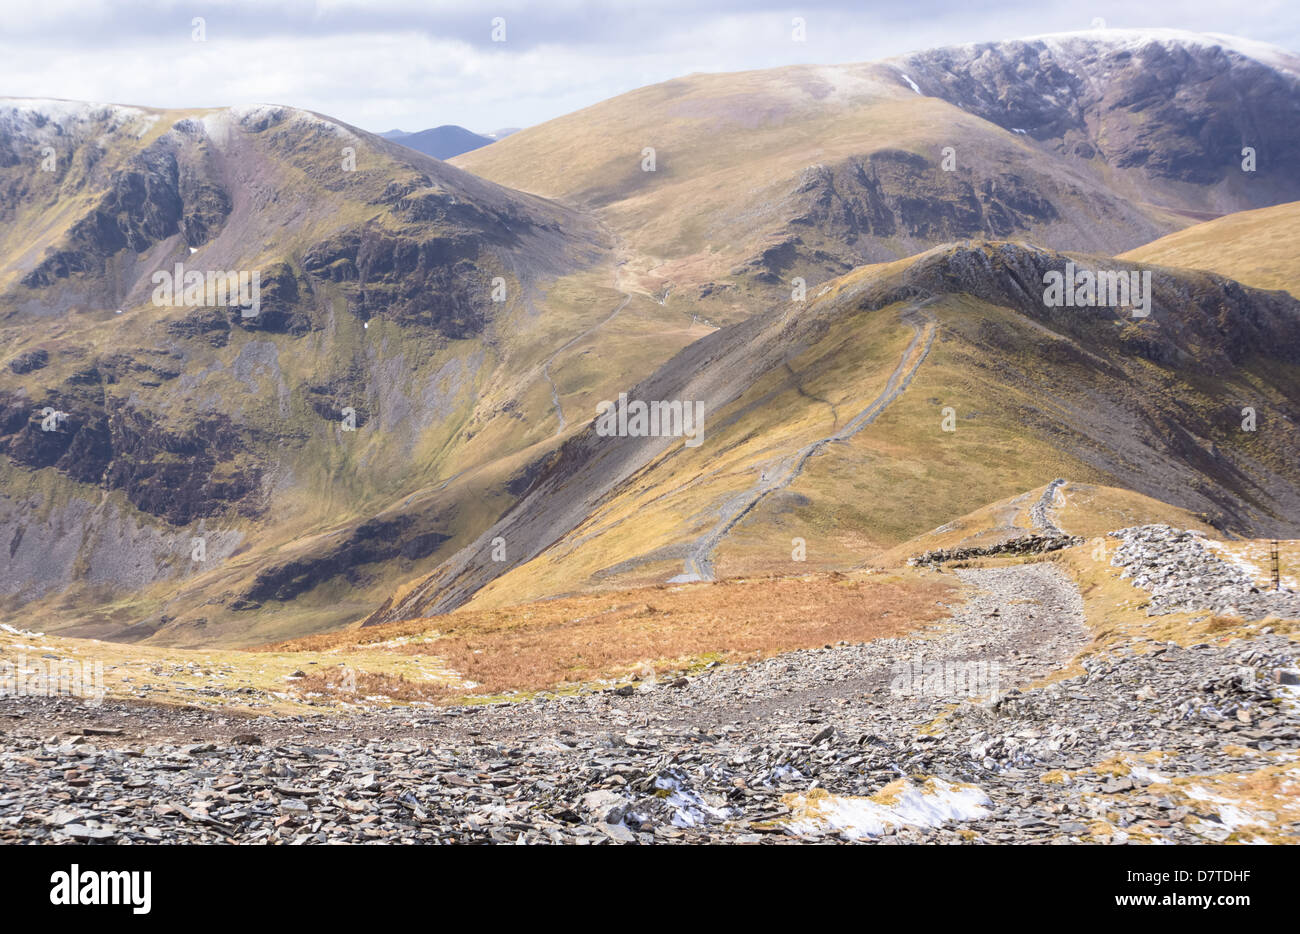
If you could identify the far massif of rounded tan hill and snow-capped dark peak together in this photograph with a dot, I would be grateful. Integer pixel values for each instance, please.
(1095, 142)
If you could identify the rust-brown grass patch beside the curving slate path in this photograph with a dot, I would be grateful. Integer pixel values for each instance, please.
(651, 630)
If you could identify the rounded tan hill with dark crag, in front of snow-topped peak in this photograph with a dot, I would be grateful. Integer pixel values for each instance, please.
(803, 171)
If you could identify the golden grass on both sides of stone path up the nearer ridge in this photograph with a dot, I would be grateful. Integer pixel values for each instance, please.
(891, 482)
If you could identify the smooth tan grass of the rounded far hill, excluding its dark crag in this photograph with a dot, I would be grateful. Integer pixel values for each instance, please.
(731, 150)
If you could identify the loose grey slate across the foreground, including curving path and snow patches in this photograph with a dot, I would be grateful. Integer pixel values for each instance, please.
(874, 742)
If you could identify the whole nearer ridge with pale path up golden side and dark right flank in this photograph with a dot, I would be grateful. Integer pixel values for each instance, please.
(827, 425)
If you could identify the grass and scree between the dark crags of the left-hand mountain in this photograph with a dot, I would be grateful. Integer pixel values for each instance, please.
(450, 422)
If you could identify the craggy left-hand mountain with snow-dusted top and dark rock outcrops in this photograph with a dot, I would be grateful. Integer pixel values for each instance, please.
(205, 486)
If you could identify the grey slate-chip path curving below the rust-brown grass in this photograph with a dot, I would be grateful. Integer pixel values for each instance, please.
(1028, 620)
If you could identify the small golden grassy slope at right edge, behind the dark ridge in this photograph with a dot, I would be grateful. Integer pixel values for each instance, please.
(1256, 248)
